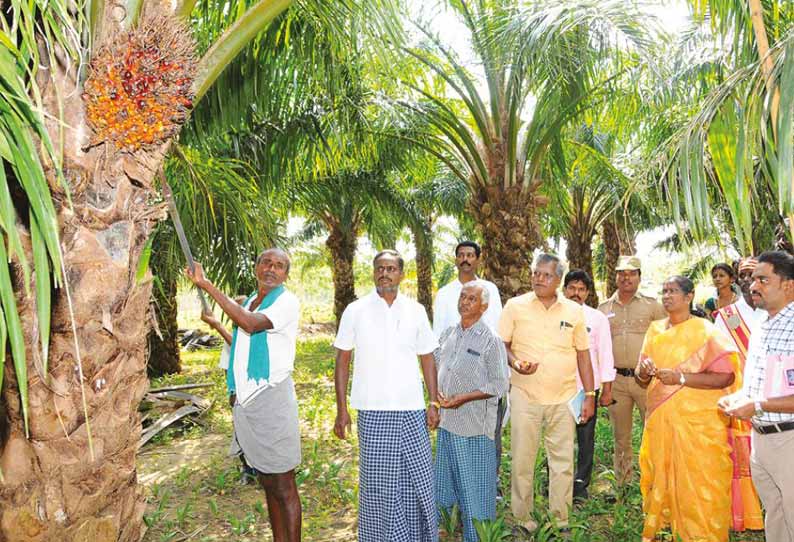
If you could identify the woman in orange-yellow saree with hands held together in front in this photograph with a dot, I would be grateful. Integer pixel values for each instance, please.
(685, 462)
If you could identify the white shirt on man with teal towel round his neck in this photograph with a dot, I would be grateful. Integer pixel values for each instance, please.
(284, 313)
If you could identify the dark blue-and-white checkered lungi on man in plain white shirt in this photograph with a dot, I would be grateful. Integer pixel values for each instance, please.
(396, 502)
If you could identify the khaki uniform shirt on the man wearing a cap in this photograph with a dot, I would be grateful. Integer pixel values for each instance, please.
(628, 324)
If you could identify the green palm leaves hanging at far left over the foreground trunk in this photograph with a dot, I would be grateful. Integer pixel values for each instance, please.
(23, 135)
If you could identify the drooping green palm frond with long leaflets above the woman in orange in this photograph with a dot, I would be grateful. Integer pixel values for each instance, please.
(727, 143)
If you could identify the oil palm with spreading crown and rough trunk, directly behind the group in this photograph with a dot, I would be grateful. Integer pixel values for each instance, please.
(538, 63)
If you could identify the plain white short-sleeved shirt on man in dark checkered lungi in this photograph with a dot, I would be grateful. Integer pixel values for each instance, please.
(387, 341)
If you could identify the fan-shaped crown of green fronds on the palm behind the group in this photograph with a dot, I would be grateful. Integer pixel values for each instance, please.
(543, 67)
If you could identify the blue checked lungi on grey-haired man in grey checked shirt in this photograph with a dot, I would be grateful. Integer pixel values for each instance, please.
(466, 476)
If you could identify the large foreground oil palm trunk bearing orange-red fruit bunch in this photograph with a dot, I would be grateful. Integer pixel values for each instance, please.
(93, 96)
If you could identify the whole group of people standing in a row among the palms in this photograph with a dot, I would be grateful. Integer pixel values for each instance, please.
(717, 399)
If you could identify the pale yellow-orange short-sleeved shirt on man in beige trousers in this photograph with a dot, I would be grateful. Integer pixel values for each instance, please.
(549, 337)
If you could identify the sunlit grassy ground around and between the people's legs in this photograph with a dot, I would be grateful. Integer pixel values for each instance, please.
(202, 498)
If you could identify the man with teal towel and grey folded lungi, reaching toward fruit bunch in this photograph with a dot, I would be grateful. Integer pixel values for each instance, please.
(261, 361)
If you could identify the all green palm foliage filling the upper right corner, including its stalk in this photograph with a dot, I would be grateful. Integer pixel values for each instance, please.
(734, 151)
